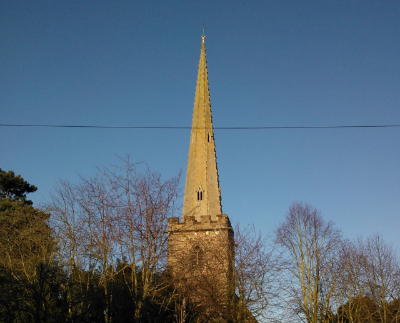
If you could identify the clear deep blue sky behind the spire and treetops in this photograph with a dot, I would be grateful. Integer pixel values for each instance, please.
(270, 63)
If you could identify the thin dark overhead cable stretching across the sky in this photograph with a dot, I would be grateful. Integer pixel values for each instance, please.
(216, 128)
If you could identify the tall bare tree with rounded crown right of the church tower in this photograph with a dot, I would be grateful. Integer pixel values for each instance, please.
(311, 248)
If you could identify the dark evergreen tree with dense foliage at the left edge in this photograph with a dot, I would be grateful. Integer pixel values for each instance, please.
(28, 289)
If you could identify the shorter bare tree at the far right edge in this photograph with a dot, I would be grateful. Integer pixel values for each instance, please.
(369, 284)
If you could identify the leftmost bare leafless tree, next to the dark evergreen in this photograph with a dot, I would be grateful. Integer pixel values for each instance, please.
(83, 219)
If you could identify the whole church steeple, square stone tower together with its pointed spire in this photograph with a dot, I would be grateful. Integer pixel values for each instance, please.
(200, 247)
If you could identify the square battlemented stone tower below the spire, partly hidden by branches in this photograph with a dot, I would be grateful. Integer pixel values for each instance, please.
(200, 256)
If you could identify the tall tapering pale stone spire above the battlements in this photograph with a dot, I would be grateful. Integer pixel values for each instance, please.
(202, 192)
